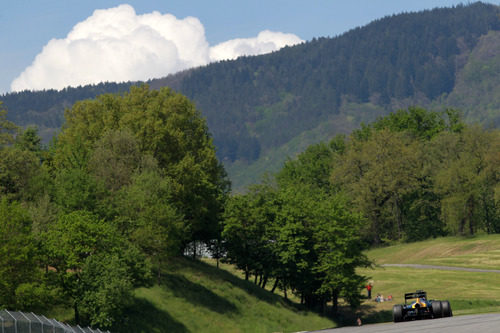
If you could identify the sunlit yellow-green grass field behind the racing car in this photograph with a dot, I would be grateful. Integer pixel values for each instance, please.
(468, 292)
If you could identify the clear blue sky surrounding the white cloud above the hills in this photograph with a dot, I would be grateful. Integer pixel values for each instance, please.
(28, 26)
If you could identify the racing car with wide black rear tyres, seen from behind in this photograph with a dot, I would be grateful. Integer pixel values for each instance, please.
(420, 308)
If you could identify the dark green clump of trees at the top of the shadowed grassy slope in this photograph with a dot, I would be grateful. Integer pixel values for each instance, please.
(299, 233)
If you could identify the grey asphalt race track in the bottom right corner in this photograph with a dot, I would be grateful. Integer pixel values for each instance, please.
(483, 323)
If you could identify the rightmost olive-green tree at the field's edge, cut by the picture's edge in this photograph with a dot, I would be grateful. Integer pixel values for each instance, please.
(469, 180)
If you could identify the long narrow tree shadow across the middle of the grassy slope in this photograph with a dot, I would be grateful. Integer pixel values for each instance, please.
(196, 294)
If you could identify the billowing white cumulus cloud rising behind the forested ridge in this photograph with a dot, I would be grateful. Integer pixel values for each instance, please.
(118, 45)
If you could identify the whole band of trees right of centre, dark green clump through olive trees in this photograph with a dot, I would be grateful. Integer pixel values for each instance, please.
(412, 175)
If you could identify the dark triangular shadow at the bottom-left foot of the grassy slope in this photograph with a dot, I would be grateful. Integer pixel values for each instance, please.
(144, 317)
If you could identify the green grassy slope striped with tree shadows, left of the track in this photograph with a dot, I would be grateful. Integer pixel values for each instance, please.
(196, 297)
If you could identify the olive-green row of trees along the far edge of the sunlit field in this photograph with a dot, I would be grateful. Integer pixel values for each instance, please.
(417, 174)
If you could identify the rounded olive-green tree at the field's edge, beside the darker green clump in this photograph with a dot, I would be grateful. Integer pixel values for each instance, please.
(378, 174)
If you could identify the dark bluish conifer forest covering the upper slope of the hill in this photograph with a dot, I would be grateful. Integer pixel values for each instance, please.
(253, 104)
